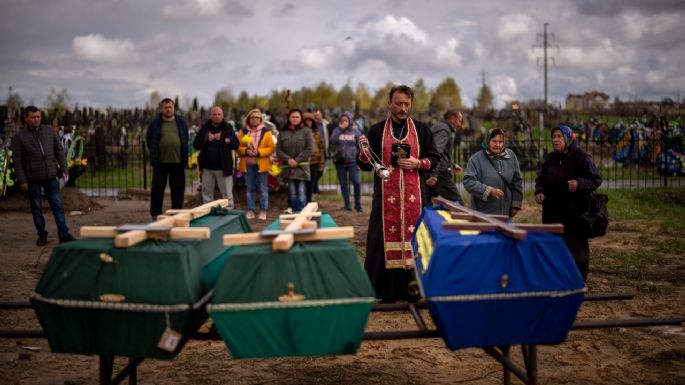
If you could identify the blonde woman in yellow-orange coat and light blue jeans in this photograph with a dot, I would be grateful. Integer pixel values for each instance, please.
(255, 149)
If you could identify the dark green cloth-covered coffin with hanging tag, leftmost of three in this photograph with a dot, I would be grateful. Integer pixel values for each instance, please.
(161, 283)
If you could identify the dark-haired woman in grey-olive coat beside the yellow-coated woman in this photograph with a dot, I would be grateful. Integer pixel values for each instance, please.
(294, 148)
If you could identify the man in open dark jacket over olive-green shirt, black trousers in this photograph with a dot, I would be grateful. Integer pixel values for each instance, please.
(167, 139)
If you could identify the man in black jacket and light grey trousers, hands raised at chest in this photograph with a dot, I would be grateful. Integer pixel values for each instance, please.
(216, 142)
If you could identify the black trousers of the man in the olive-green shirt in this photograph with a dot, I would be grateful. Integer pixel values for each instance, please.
(161, 172)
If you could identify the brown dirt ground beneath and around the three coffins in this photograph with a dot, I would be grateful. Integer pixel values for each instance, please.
(648, 355)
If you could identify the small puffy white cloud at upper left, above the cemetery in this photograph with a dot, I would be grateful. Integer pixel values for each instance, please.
(98, 49)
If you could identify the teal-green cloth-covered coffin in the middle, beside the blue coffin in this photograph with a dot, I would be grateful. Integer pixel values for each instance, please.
(330, 320)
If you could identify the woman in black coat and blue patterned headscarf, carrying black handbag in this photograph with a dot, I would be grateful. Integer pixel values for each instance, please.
(563, 186)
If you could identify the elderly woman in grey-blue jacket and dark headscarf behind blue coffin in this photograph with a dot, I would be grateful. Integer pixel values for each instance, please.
(493, 177)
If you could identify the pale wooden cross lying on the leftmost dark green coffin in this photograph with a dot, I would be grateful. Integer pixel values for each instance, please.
(172, 226)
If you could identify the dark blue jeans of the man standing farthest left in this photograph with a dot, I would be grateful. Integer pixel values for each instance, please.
(51, 189)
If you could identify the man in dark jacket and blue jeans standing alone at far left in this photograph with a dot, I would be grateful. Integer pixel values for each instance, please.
(37, 151)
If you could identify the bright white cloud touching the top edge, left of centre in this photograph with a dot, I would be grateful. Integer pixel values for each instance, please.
(191, 9)
